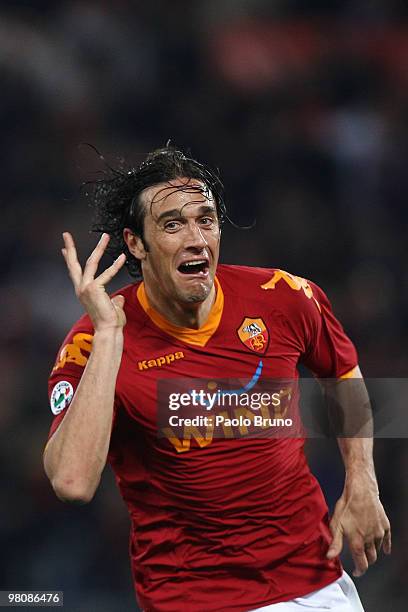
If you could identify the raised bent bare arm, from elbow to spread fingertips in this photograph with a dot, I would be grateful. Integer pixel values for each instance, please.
(76, 454)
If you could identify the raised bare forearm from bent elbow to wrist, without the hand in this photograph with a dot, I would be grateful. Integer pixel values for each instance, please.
(76, 454)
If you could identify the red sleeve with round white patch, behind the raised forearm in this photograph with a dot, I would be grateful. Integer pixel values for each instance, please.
(68, 369)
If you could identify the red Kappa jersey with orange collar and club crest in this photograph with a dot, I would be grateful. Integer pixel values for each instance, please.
(217, 524)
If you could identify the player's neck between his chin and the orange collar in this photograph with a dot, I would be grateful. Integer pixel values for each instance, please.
(192, 315)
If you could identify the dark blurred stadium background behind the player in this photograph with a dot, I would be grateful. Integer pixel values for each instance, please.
(303, 106)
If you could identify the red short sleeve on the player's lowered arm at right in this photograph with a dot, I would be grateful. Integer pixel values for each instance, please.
(329, 353)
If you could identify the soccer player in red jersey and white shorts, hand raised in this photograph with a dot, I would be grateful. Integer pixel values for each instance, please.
(217, 524)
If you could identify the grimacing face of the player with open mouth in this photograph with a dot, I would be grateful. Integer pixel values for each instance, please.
(182, 238)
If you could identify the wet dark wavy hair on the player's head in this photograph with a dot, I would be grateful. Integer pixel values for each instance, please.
(117, 202)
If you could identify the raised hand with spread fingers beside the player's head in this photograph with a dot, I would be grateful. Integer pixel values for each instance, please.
(105, 312)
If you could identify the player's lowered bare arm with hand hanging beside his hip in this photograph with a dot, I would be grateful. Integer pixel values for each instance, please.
(359, 515)
